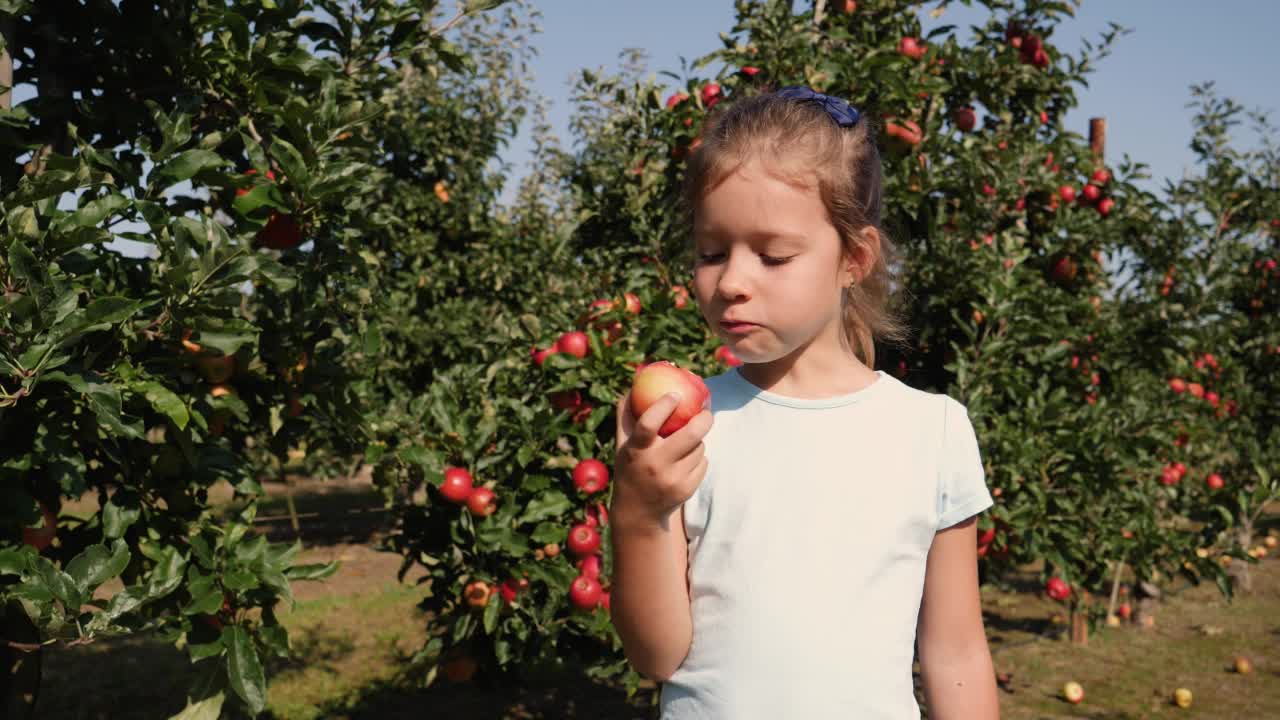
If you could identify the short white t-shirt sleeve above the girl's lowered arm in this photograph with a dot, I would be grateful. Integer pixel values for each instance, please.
(962, 481)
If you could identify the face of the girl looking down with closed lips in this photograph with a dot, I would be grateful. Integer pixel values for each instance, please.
(767, 254)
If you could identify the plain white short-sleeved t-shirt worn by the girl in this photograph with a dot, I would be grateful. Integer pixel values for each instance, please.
(807, 549)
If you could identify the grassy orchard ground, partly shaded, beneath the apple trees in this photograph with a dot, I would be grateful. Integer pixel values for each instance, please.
(354, 634)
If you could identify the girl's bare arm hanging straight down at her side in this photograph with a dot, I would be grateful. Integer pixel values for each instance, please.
(956, 662)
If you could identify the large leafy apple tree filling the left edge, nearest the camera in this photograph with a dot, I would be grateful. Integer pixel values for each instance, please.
(186, 303)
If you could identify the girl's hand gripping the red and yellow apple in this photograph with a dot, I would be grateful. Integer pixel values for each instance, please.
(655, 476)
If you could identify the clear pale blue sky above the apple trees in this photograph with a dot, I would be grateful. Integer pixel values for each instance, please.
(1141, 89)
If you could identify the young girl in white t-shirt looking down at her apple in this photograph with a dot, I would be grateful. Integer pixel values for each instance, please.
(785, 559)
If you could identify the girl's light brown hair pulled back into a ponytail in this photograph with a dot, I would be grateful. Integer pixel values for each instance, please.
(801, 144)
